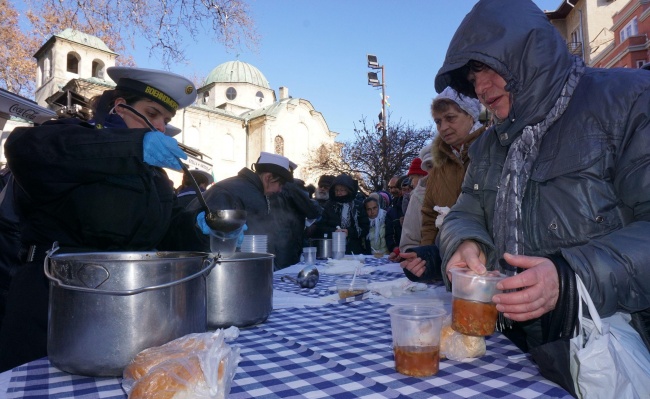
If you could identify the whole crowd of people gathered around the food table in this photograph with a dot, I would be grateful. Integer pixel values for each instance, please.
(553, 187)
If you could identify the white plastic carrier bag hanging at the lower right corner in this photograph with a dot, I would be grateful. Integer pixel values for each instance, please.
(608, 359)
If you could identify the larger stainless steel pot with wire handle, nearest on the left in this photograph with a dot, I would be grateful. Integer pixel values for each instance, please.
(105, 307)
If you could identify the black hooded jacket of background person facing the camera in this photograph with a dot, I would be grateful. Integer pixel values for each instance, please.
(358, 223)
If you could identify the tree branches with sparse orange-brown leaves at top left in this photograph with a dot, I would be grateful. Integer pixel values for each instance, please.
(167, 25)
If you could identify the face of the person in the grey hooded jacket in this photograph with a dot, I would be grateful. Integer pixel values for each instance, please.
(490, 90)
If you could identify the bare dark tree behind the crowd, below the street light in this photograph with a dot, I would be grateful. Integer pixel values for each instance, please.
(362, 158)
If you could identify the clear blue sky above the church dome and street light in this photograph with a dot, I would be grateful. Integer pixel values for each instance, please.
(317, 49)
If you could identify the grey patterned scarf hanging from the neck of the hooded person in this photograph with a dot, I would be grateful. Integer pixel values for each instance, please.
(508, 223)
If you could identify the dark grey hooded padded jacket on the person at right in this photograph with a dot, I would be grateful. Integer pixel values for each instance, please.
(587, 203)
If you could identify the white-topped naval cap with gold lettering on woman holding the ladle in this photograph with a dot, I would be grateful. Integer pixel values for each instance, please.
(168, 89)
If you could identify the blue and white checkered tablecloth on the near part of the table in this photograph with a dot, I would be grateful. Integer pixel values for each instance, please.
(332, 351)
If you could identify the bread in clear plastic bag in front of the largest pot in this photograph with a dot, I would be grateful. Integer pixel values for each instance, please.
(194, 366)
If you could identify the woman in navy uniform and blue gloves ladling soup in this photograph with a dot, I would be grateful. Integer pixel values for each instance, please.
(95, 187)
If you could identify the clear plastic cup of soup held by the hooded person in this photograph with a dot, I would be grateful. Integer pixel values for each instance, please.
(472, 309)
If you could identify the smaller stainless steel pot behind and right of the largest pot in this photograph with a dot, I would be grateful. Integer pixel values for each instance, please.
(240, 290)
